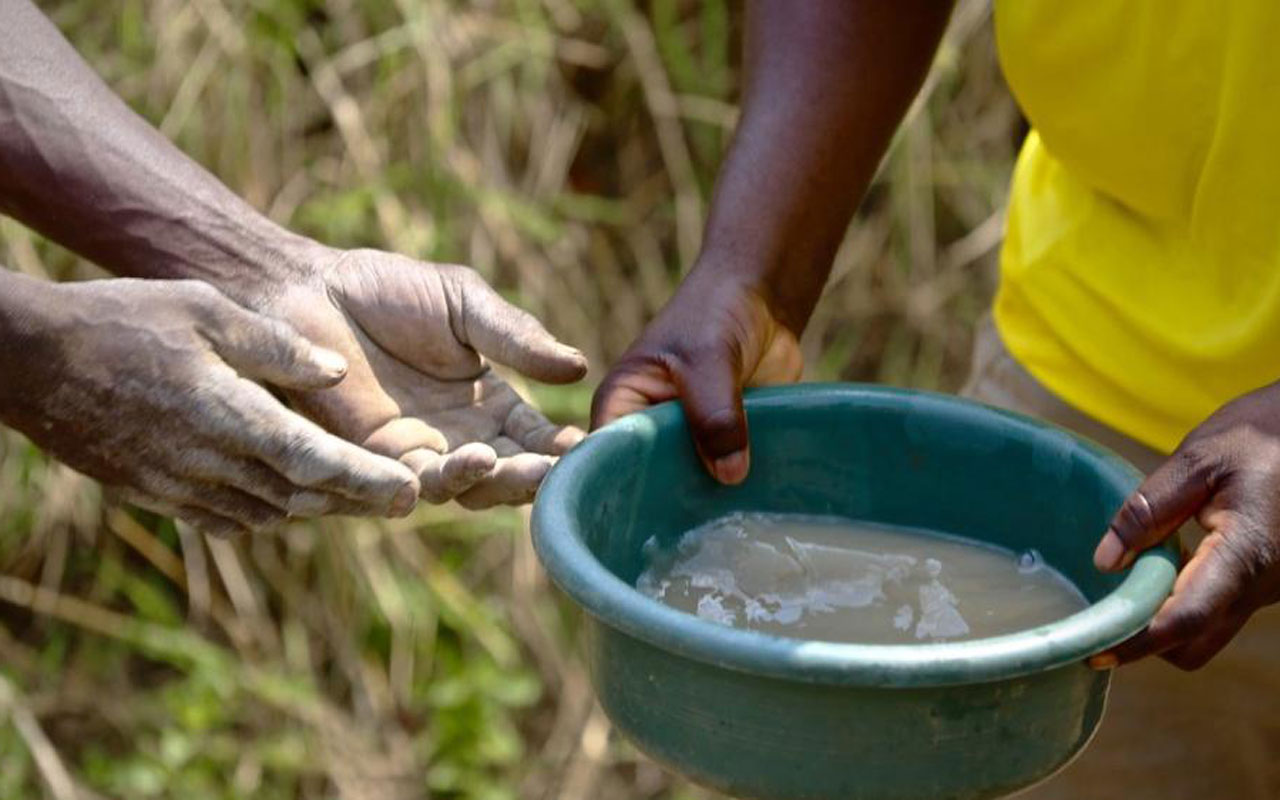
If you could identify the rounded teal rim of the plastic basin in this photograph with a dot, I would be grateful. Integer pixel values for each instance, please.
(1116, 618)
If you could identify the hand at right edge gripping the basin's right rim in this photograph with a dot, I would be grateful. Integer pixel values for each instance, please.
(1227, 477)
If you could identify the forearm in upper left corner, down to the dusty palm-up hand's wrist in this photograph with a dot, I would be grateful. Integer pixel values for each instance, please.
(85, 171)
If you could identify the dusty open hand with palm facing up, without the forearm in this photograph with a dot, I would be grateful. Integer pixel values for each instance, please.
(419, 388)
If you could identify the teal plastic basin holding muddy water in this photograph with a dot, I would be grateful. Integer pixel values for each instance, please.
(775, 719)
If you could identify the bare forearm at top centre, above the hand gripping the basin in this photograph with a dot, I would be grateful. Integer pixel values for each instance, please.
(828, 84)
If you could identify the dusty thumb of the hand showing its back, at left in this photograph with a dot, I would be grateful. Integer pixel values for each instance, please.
(271, 350)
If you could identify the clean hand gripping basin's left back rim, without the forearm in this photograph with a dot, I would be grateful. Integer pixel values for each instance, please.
(711, 341)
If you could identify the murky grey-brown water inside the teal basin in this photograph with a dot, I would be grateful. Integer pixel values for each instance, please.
(836, 580)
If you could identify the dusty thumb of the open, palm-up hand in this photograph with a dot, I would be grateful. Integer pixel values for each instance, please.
(510, 336)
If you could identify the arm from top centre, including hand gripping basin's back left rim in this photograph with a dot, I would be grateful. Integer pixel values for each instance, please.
(828, 85)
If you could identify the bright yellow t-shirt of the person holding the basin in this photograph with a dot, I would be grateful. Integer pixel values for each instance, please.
(1141, 269)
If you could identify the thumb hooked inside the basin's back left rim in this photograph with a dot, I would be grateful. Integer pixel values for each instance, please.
(714, 405)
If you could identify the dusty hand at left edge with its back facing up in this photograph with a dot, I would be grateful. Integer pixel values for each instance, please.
(149, 386)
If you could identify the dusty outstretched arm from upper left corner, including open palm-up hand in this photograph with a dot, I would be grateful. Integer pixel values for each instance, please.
(79, 166)
